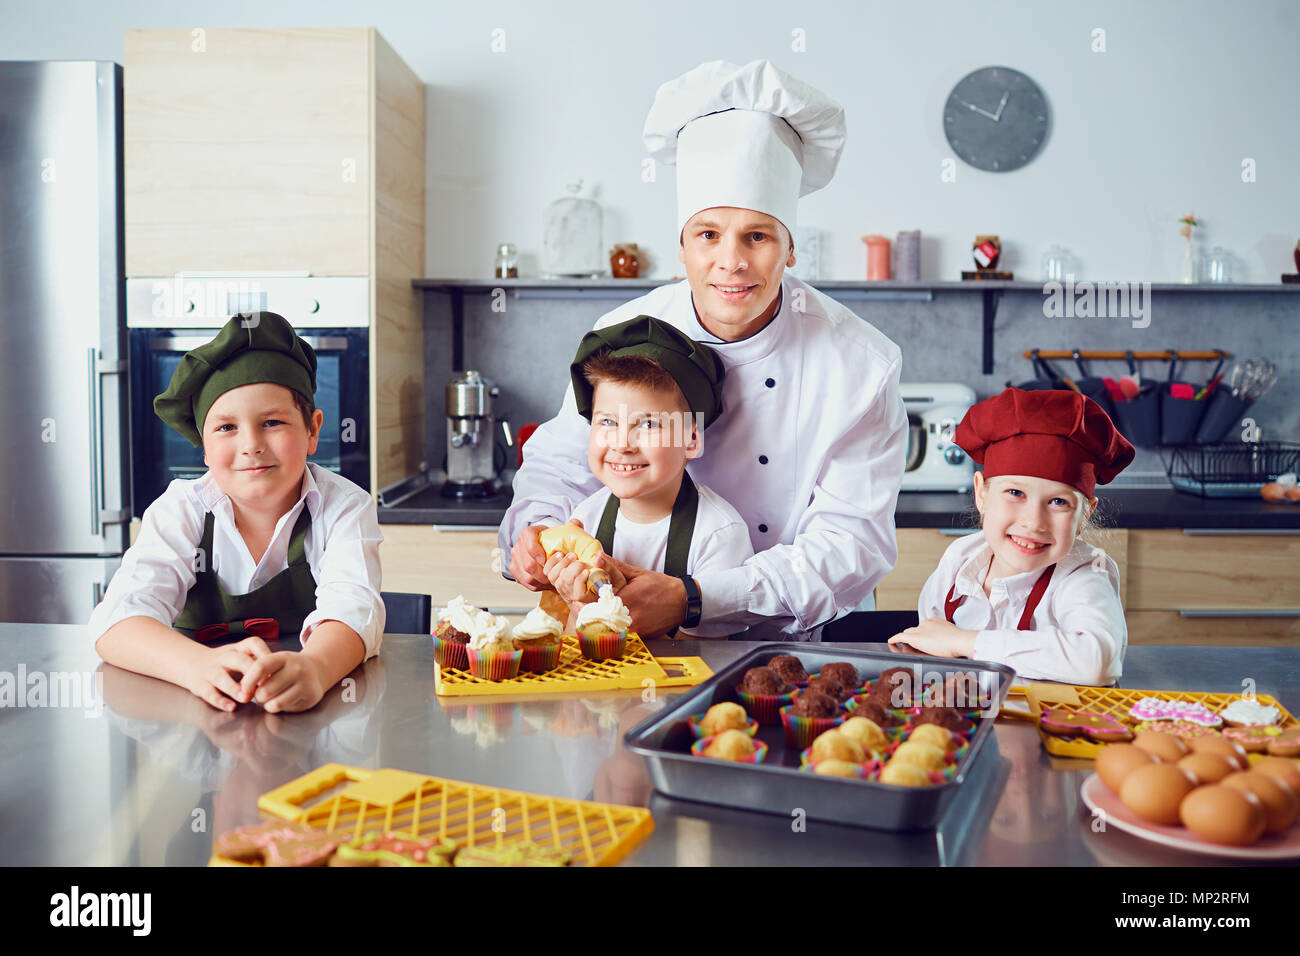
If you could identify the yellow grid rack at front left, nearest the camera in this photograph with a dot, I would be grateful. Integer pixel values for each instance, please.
(356, 802)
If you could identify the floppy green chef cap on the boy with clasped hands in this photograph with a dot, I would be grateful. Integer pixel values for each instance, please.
(254, 348)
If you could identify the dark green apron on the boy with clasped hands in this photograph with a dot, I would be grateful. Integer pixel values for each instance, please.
(287, 599)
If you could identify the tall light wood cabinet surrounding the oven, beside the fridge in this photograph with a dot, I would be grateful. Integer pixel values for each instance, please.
(289, 152)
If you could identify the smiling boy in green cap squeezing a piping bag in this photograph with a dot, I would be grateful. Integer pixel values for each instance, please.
(649, 392)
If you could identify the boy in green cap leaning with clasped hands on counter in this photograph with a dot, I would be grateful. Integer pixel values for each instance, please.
(263, 547)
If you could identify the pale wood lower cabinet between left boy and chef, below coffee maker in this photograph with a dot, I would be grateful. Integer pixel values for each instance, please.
(444, 564)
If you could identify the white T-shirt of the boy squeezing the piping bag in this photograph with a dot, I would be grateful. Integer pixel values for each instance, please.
(720, 543)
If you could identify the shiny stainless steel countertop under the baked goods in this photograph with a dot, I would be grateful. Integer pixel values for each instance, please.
(155, 773)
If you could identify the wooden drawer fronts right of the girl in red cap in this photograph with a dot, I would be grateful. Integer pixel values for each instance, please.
(1191, 587)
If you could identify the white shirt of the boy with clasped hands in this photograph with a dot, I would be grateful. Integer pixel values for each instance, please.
(343, 550)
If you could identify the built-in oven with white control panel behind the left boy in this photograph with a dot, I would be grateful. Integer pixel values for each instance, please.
(161, 335)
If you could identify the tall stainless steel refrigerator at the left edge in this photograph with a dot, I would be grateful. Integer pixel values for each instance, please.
(64, 456)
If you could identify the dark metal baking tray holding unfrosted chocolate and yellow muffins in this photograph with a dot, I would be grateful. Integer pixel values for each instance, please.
(778, 786)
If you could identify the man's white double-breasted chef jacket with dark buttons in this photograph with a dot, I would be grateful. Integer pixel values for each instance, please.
(811, 451)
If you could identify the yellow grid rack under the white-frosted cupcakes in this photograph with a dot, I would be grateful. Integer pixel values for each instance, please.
(577, 674)
